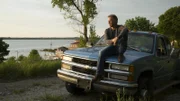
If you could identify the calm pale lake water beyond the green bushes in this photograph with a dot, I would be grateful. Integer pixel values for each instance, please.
(23, 47)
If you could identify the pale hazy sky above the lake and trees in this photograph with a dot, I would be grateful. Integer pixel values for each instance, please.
(37, 18)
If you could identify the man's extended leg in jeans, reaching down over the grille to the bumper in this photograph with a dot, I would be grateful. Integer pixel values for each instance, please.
(107, 51)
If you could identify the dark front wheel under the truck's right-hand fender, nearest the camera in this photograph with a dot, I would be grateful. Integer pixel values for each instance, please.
(145, 89)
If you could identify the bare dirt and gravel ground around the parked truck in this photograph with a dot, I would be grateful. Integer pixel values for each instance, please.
(38, 89)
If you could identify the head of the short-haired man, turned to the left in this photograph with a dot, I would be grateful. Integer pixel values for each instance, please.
(112, 20)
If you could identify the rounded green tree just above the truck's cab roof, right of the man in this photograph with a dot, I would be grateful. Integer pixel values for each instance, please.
(140, 23)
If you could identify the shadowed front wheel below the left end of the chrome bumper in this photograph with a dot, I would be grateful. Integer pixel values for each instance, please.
(71, 88)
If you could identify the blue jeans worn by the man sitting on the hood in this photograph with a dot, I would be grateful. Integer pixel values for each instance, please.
(106, 52)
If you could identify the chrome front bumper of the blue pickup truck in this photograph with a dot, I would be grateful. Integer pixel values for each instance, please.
(105, 85)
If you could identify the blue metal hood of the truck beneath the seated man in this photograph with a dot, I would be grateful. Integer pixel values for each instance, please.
(93, 52)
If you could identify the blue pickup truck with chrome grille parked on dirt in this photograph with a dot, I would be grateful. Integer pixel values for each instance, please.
(151, 64)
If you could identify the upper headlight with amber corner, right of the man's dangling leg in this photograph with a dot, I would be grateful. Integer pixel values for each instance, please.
(122, 67)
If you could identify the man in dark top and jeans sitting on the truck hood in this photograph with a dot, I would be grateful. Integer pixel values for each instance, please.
(116, 37)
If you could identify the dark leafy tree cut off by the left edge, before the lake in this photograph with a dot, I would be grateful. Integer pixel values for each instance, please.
(3, 50)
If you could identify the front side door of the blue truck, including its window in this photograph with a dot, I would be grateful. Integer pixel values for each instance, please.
(164, 70)
